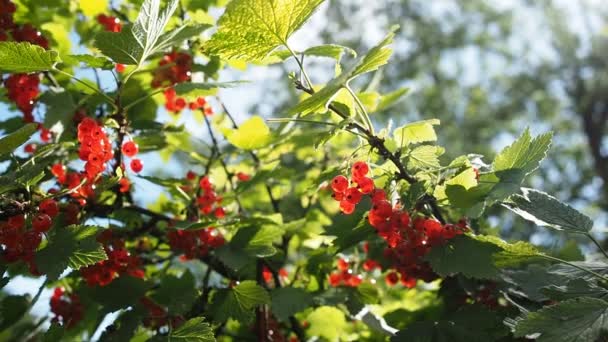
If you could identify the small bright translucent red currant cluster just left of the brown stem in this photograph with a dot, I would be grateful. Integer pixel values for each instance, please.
(349, 195)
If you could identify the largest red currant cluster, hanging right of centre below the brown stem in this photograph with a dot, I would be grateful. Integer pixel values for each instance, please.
(408, 244)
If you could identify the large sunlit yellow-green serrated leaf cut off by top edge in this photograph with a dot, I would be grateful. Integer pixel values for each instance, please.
(252, 29)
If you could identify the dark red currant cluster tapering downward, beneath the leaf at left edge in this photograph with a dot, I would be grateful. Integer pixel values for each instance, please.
(22, 89)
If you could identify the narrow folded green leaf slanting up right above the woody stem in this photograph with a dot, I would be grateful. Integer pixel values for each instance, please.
(376, 57)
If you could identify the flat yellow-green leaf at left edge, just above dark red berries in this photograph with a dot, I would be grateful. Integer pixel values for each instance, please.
(25, 58)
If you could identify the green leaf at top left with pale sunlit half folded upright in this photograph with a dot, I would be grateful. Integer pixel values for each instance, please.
(135, 43)
